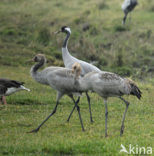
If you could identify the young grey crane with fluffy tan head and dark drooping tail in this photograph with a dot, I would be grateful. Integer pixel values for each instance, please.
(107, 85)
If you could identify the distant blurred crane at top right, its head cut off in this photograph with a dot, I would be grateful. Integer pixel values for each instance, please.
(128, 6)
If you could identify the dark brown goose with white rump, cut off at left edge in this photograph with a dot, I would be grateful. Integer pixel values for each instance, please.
(8, 87)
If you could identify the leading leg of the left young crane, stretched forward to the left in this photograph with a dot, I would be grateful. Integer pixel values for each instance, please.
(59, 95)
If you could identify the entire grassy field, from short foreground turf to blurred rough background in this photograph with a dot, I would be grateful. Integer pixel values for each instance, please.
(26, 28)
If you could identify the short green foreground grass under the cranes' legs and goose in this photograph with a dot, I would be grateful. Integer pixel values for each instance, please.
(25, 111)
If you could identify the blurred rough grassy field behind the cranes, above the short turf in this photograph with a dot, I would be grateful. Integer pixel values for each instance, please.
(26, 28)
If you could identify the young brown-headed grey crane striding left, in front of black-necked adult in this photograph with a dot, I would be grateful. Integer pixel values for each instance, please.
(60, 79)
